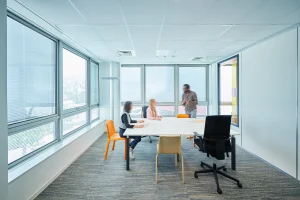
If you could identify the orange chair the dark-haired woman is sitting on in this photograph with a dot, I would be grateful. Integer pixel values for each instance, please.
(113, 136)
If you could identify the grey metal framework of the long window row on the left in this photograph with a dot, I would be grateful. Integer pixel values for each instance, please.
(57, 118)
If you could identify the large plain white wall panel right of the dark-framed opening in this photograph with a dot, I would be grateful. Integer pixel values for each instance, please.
(269, 100)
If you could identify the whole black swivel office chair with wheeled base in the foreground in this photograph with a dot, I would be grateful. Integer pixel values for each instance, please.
(216, 142)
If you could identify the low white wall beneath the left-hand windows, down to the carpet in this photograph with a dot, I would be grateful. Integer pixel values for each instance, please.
(33, 182)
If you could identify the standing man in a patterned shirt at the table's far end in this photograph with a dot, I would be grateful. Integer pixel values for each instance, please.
(189, 101)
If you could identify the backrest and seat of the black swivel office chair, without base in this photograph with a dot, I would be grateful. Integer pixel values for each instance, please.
(217, 127)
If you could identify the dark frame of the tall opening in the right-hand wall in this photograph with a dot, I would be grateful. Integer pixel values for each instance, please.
(237, 92)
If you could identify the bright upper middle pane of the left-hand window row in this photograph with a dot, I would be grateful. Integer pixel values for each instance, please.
(74, 80)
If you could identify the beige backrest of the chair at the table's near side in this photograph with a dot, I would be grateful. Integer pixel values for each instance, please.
(169, 145)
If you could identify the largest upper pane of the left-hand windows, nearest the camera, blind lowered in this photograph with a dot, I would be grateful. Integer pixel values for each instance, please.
(31, 72)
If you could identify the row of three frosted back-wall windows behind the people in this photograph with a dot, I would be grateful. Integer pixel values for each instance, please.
(140, 83)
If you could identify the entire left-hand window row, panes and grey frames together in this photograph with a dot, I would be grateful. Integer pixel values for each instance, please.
(34, 82)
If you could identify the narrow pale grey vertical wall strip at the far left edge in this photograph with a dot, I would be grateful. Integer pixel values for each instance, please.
(3, 103)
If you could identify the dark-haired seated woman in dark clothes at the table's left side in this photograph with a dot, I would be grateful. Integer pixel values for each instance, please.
(125, 123)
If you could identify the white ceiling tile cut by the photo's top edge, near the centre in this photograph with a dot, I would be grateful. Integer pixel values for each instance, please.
(139, 12)
